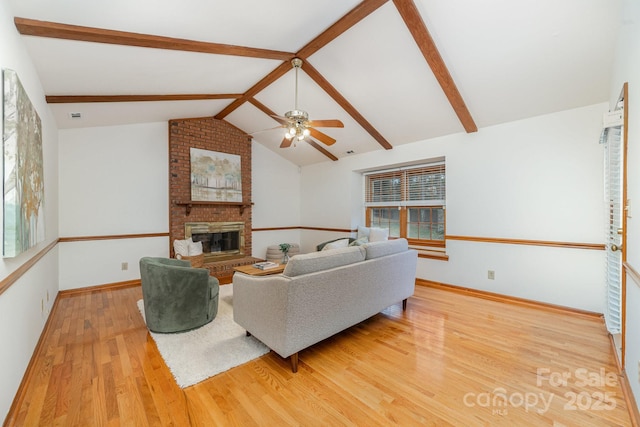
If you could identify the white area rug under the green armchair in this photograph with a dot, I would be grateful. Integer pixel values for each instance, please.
(216, 347)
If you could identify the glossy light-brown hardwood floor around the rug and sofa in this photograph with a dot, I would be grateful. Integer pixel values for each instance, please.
(450, 359)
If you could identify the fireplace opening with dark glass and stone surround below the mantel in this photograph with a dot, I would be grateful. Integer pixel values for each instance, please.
(220, 240)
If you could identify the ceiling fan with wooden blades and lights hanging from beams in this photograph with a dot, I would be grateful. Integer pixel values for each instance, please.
(297, 122)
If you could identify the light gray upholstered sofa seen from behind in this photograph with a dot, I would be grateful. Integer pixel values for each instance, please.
(322, 293)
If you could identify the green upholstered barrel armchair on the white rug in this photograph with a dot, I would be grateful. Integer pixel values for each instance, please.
(176, 296)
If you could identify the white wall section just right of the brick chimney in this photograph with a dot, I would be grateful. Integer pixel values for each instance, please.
(276, 199)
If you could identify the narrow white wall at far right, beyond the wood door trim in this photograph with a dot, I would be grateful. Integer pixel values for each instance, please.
(627, 69)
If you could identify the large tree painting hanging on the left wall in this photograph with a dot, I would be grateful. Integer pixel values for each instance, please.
(23, 201)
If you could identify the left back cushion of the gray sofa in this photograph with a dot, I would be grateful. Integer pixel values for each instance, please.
(323, 260)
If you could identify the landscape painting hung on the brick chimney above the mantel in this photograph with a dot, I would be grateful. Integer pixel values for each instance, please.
(215, 176)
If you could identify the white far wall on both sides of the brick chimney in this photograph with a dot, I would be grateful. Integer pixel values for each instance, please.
(114, 181)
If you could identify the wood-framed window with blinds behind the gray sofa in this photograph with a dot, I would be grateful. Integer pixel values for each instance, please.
(409, 202)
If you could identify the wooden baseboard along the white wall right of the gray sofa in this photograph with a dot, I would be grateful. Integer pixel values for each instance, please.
(510, 300)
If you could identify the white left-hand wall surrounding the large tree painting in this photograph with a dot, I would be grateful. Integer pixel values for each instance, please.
(22, 317)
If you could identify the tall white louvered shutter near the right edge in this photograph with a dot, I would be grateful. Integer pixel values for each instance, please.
(612, 138)
